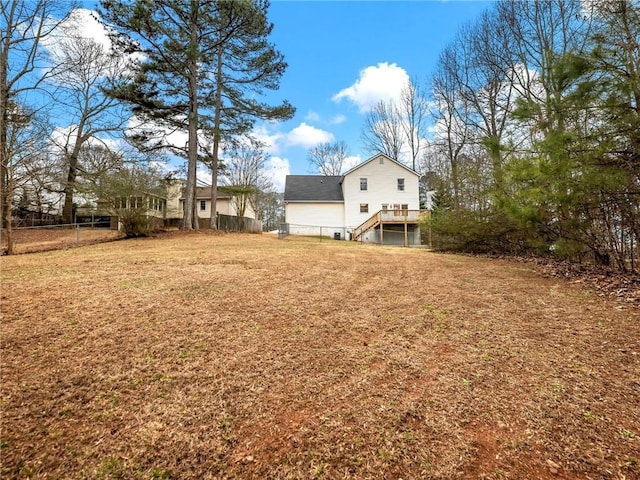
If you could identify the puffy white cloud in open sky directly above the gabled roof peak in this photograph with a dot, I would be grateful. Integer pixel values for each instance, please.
(382, 82)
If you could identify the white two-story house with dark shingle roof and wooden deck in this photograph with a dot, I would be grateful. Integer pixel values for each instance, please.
(376, 201)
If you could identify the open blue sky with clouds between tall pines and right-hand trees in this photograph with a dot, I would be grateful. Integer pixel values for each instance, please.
(364, 49)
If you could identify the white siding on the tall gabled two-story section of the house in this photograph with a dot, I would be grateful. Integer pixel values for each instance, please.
(382, 187)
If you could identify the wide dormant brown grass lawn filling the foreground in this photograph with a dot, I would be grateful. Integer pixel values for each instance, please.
(237, 356)
